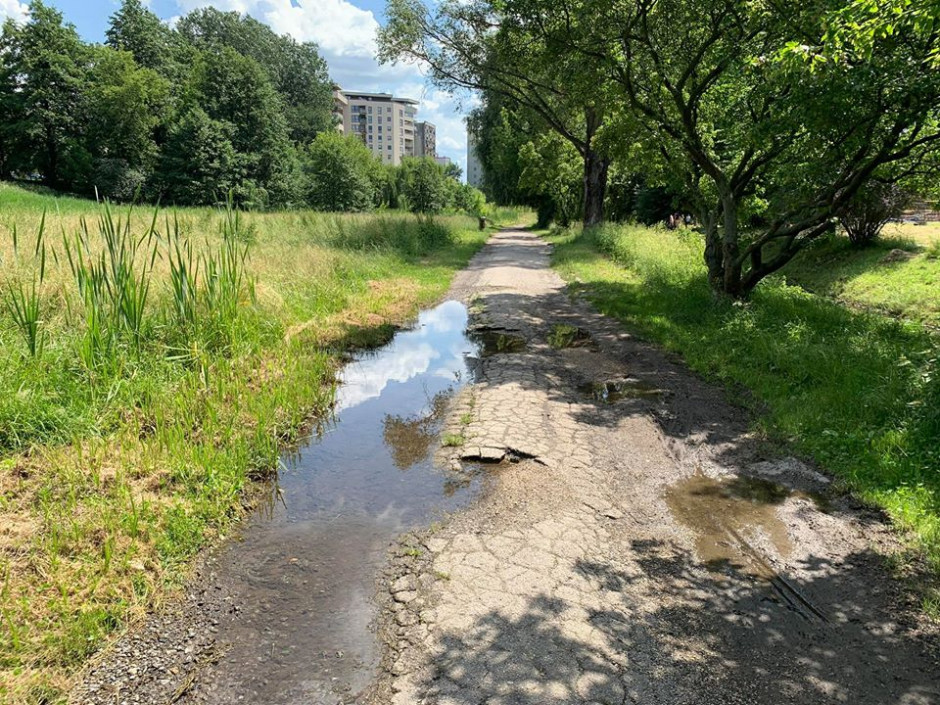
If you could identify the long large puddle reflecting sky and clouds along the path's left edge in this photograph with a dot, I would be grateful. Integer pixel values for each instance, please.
(302, 577)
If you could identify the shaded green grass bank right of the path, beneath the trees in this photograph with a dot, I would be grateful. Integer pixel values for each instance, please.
(857, 391)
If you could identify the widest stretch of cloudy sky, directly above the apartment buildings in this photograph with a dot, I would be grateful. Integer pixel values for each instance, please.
(345, 34)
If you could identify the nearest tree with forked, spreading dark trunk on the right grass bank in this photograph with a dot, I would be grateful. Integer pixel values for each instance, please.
(740, 124)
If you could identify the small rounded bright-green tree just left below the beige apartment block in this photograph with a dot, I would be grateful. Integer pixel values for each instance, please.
(341, 173)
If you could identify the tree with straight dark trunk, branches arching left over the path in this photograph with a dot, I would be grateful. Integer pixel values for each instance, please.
(475, 44)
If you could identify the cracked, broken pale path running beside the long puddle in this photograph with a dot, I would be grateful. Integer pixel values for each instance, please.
(644, 548)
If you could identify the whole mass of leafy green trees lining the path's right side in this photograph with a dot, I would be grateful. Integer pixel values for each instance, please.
(767, 122)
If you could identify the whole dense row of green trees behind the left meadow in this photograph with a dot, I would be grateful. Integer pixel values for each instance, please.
(220, 104)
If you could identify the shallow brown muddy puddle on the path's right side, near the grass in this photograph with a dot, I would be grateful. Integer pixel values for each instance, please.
(726, 515)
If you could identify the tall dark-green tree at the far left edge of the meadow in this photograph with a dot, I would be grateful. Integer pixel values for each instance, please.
(44, 62)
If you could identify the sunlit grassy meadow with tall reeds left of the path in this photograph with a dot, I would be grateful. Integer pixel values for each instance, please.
(127, 442)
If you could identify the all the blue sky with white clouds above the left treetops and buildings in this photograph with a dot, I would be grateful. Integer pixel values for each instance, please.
(343, 29)
